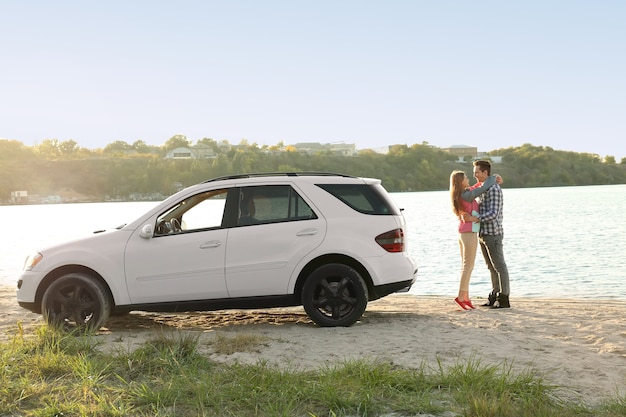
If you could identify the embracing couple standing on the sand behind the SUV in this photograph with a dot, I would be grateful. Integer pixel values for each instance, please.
(479, 209)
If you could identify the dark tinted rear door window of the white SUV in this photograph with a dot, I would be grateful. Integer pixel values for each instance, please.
(271, 204)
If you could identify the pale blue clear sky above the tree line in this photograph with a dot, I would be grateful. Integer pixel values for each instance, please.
(490, 74)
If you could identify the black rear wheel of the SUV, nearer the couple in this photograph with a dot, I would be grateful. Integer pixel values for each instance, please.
(334, 295)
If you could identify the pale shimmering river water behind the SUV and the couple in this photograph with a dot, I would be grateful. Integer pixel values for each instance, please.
(564, 242)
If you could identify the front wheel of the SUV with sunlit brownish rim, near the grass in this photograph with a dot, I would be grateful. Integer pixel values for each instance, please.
(76, 300)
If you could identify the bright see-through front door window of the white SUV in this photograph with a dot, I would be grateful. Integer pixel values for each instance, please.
(199, 212)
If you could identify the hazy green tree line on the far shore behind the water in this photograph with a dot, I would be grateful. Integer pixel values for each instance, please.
(121, 170)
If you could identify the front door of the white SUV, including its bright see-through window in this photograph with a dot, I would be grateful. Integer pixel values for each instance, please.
(183, 260)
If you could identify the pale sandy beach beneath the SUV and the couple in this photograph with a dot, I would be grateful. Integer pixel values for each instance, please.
(579, 345)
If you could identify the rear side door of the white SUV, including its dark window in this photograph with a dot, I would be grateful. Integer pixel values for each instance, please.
(264, 250)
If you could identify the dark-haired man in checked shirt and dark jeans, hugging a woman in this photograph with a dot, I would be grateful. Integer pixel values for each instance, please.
(491, 236)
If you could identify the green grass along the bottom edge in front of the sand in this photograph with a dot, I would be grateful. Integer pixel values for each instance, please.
(65, 374)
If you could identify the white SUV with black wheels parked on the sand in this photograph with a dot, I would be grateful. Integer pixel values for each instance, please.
(325, 241)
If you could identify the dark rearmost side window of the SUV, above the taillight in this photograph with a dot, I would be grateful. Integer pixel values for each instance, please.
(366, 199)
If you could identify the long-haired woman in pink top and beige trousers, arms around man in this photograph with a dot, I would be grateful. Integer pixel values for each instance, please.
(464, 204)
